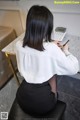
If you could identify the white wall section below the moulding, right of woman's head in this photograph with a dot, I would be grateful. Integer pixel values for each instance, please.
(68, 20)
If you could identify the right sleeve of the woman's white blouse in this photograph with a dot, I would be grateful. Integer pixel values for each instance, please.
(67, 64)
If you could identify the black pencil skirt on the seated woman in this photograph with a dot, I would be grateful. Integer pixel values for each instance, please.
(35, 98)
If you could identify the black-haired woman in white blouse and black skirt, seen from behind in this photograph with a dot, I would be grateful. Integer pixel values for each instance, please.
(39, 60)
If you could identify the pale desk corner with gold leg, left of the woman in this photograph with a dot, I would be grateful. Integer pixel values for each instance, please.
(10, 50)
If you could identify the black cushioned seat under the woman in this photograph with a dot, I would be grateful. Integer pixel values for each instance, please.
(16, 113)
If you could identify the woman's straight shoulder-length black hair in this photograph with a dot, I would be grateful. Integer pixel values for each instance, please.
(39, 25)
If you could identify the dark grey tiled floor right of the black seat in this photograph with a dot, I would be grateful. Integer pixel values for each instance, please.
(69, 92)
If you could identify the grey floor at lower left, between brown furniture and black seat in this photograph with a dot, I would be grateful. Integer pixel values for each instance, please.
(7, 95)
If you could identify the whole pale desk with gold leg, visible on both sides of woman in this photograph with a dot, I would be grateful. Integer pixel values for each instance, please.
(74, 48)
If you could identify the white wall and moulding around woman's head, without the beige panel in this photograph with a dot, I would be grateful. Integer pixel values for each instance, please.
(64, 15)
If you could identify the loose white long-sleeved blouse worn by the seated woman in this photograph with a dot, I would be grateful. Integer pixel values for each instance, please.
(39, 66)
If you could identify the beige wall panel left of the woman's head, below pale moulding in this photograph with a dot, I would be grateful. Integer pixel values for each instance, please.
(11, 18)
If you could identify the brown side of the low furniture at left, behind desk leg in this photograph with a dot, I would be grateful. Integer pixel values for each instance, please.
(5, 70)
